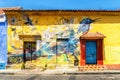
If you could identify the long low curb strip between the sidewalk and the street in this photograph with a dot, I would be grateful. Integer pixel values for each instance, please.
(57, 73)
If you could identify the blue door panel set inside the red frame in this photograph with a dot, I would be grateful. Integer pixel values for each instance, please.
(91, 51)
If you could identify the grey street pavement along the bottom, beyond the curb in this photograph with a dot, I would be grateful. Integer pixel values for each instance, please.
(62, 77)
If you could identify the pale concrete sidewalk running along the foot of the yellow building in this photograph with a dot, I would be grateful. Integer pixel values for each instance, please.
(57, 71)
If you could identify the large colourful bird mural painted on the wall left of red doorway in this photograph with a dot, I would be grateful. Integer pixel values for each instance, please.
(59, 43)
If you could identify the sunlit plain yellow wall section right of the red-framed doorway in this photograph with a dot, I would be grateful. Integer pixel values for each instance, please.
(111, 42)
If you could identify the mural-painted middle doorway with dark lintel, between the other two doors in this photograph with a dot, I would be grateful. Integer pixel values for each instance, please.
(62, 51)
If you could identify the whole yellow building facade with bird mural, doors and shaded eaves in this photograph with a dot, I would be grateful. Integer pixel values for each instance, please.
(50, 38)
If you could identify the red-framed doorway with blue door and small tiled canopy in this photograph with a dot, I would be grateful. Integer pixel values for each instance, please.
(91, 48)
